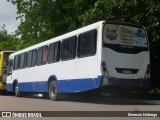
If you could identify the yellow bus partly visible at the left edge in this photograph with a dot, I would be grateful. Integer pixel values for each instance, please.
(4, 56)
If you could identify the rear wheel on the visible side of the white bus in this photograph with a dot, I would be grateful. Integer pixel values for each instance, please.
(53, 94)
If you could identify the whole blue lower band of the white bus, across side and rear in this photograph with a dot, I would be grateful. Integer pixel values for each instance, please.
(78, 85)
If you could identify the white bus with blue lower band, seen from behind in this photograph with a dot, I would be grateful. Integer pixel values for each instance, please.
(105, 53)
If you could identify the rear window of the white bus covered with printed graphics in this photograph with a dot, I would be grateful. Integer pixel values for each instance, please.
(124, 35)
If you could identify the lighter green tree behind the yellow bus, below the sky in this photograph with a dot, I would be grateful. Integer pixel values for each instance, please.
(8, 41)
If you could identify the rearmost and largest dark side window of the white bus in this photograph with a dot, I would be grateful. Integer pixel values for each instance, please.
(87, 43)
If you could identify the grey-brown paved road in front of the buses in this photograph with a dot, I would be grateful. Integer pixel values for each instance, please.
(76, 103)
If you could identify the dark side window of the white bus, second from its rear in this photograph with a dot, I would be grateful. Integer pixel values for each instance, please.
(68, 48)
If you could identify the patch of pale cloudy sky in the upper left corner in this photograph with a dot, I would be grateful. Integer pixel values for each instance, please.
(8, 16)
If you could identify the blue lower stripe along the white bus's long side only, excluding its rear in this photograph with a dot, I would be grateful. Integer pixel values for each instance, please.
(67, 86)
